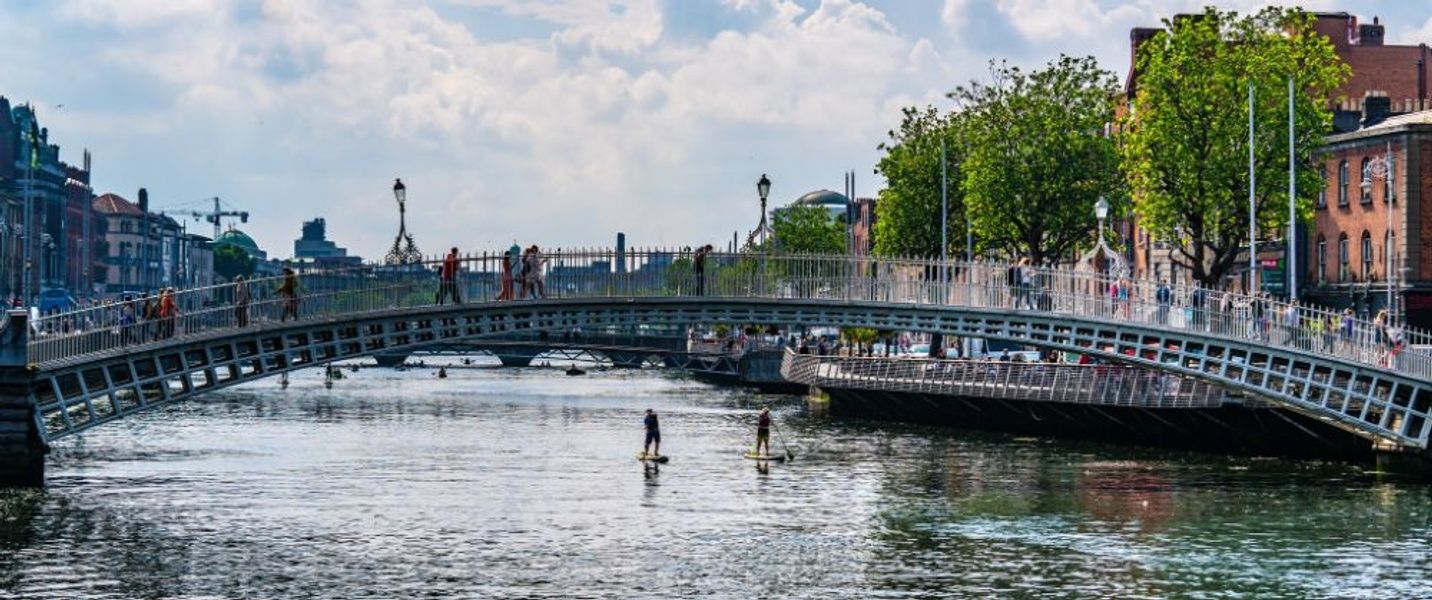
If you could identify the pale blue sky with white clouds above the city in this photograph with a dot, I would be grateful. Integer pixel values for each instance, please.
(552, 122)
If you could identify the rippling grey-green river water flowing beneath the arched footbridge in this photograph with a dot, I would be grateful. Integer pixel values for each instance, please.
(523, 483)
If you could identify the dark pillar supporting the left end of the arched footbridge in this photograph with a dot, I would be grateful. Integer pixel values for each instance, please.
(22, 450)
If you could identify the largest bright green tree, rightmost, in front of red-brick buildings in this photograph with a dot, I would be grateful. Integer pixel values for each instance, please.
(1185, 140)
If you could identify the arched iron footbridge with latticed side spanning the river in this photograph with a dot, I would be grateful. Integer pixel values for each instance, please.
(67, 373)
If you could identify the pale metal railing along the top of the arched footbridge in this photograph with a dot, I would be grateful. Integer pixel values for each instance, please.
(671, 274)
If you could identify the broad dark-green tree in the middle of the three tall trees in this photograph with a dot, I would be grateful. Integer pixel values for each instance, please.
(1037, 157)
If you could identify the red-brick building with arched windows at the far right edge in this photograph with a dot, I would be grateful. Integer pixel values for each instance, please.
(1371, 227)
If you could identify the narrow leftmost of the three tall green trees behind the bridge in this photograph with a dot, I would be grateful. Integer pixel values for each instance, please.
(909, 221)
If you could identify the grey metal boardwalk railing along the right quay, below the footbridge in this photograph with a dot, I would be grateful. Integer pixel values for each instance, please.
(1111, 386)
